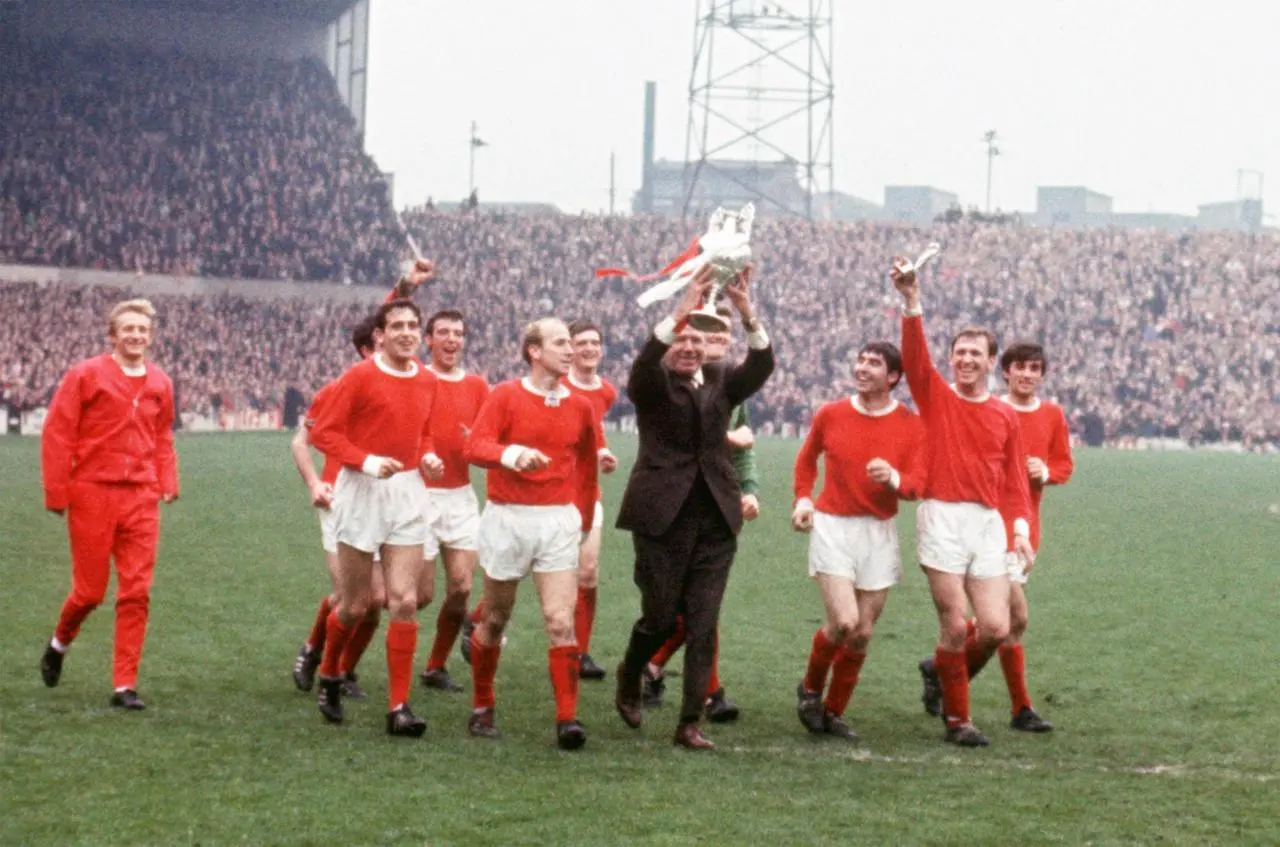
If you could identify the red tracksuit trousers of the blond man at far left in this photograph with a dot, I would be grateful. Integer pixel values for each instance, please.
(106, 521)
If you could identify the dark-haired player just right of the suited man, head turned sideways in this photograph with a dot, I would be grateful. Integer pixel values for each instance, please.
(872, 451)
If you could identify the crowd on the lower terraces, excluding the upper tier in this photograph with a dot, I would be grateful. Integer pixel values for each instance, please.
(1150, 335)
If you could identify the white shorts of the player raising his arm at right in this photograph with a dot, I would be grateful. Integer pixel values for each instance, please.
(962, 538)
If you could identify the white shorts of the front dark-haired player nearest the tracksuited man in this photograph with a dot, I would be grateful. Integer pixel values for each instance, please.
(369, 512)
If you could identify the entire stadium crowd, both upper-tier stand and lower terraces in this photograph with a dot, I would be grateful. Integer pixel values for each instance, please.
(254, 170)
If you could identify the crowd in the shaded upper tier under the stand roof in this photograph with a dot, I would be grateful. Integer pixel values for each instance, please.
(121, 159)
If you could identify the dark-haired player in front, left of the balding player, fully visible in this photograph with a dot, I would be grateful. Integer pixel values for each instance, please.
(378, 427)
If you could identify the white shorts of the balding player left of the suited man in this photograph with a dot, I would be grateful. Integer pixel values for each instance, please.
(516, 541)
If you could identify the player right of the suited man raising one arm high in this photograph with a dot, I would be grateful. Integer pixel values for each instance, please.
(976, 480)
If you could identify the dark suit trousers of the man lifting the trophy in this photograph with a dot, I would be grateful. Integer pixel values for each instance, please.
(684, 571)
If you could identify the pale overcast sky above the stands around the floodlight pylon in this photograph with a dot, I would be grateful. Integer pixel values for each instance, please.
(1156, 103)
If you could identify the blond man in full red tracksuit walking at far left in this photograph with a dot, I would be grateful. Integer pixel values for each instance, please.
(108, 461)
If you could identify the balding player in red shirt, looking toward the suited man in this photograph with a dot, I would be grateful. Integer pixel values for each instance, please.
(540, 443)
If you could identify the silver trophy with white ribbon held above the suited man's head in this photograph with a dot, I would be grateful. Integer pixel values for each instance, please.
(728, 249)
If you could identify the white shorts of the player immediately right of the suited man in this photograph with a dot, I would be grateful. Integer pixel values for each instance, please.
(858, 548)
